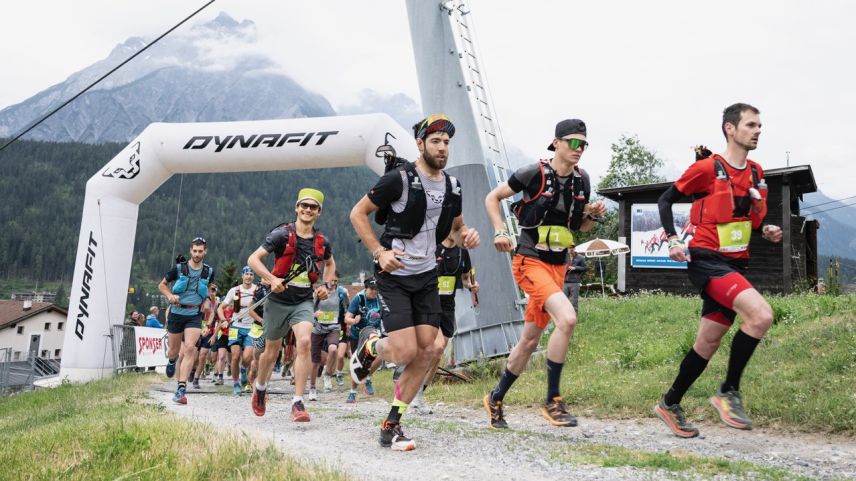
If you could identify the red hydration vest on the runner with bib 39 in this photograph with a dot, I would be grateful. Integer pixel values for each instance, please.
(717, 206)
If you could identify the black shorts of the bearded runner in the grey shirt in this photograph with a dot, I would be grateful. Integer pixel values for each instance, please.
(408, 301)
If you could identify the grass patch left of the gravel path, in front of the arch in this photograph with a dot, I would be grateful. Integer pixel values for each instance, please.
(106, 430)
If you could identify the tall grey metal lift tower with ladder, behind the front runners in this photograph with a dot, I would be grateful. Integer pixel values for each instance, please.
(452, 82)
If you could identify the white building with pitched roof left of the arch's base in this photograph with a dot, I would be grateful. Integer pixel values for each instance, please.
(32, 328)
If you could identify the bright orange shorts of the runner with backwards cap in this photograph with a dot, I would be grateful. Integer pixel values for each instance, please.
(539, 280)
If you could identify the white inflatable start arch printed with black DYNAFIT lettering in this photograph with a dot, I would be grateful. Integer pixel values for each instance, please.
(113, 196)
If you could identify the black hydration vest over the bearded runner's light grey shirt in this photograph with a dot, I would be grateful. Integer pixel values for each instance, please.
(407, 223)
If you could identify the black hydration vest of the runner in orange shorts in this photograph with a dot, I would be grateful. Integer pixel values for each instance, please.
(531, 213)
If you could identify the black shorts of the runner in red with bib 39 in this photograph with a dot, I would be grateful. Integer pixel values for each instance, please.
(707, 265)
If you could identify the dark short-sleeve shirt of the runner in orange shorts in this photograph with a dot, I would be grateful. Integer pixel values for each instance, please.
(528, 180)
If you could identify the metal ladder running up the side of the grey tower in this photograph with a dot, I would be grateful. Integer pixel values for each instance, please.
(481, 103)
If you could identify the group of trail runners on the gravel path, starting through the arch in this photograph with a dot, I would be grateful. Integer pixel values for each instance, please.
(406, 313)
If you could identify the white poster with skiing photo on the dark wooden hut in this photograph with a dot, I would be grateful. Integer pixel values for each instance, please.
(649, 246)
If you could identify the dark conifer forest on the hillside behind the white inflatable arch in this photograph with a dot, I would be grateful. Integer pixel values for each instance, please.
(43, 186)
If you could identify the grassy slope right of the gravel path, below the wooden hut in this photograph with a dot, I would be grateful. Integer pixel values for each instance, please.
(626, 352)
